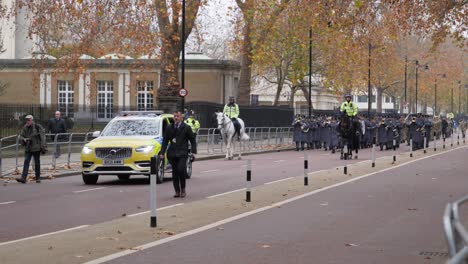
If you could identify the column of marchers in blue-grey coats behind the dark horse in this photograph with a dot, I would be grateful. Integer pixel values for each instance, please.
(320, 132)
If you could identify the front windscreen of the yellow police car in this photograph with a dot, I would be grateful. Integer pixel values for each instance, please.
(134, 127)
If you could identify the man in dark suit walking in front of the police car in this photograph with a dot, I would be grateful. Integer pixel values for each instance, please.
(178, 135)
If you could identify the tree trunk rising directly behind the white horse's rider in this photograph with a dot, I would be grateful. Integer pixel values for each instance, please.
(246, 65)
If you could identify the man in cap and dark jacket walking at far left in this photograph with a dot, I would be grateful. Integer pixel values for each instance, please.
(32, 137)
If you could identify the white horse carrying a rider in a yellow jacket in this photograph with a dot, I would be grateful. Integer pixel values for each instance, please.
(226, 127)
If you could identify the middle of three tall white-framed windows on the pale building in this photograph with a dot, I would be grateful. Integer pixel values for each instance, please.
(105, 99)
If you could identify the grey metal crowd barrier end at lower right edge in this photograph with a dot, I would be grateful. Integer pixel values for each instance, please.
(455, 233)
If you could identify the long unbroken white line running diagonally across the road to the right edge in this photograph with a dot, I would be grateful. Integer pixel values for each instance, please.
(243, 215)
